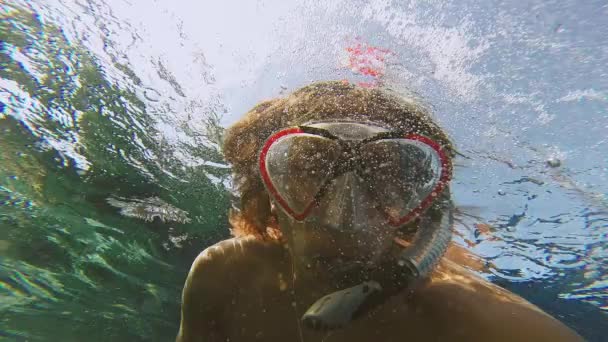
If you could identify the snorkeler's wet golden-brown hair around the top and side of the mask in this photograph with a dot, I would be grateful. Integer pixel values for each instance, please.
(315, 102)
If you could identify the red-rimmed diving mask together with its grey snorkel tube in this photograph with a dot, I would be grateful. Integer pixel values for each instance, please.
(351, 177)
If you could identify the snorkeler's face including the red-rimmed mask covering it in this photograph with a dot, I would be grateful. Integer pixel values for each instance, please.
(344, 188)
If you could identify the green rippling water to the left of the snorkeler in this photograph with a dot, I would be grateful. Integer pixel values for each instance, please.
(74, 142)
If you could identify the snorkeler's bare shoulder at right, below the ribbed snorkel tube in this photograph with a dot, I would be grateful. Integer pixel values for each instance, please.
(473, 305)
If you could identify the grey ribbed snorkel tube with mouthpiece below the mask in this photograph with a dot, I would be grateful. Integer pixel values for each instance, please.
(430, 242)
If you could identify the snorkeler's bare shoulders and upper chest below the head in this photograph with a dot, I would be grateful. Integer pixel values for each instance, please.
(242, 289)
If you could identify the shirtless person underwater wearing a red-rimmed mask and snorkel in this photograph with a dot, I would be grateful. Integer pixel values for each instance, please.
(344, 233)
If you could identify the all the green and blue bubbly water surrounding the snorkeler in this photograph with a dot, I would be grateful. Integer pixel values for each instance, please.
(112, 113)
